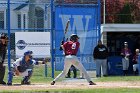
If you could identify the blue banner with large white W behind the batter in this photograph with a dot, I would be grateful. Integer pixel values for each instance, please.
(84, 21)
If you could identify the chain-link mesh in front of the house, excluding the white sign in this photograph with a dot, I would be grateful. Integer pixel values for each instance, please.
(26, 16)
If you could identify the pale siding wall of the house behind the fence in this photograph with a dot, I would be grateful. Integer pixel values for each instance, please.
(14, 20)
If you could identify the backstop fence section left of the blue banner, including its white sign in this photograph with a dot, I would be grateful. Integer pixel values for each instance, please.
(27, 24)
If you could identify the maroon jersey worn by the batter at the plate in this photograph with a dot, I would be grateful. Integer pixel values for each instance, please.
(71, 48)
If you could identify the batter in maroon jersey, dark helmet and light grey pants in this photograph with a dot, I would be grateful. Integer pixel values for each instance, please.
(70, 49)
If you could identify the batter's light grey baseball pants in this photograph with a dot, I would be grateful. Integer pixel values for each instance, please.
(72, 60)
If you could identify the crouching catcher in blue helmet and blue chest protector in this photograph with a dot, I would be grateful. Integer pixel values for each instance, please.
(23, 67)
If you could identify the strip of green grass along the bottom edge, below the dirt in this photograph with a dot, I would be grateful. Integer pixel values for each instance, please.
(101, 90)
